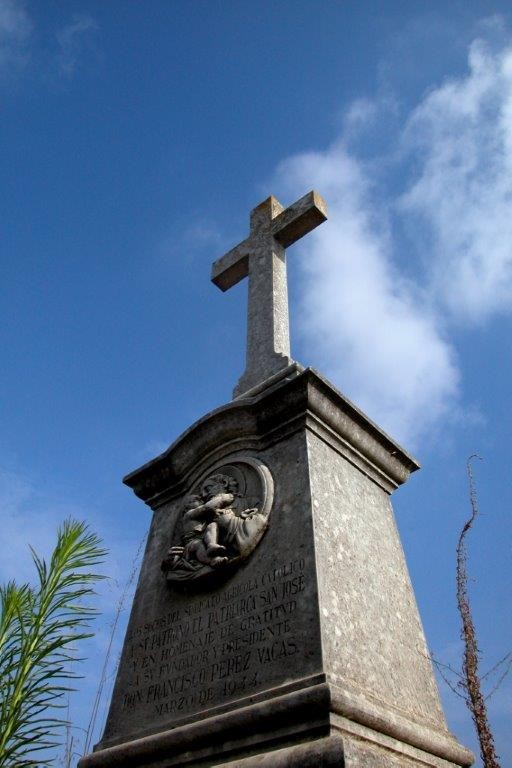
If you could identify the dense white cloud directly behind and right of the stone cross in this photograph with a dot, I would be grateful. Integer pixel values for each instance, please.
(372, 330)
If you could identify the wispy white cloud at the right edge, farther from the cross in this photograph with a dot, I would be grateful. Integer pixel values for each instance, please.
(460, 136)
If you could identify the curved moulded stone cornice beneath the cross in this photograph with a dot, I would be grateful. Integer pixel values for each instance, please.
(307, 400)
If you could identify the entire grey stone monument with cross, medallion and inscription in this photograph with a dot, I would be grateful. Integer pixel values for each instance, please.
(274, 622)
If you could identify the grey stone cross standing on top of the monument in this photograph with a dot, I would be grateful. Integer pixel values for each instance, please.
(261, 257)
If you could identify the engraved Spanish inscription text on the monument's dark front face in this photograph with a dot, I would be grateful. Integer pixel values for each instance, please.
(215, 648)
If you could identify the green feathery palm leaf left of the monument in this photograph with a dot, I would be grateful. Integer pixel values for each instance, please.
(39, 629)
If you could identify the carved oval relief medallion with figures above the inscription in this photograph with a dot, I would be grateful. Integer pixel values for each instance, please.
(222, 521)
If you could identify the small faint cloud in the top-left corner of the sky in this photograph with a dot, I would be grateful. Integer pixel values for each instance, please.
(15, 30)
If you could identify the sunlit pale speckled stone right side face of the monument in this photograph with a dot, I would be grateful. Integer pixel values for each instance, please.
(366, 599)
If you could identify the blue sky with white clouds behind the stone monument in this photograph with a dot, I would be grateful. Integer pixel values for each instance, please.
(136, 137)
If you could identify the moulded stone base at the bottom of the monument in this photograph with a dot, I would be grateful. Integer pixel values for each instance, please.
(303, 728)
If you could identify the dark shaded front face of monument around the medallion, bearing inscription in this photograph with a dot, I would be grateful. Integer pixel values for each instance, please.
(186, 652)
